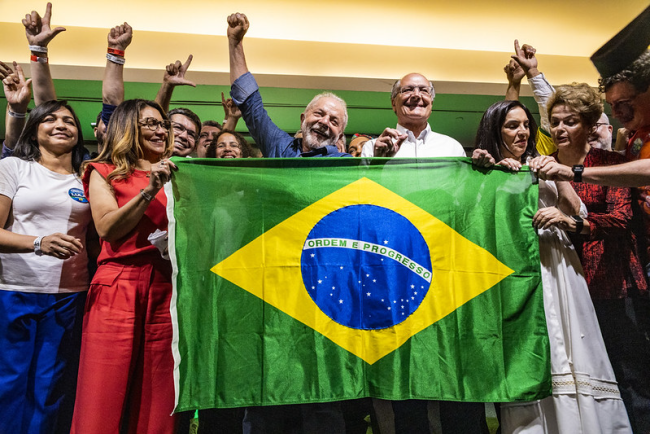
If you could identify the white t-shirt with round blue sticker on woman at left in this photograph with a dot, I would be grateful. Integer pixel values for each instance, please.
(43, 202)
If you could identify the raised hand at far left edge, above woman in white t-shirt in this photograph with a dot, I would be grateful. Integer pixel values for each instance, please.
(18, 92)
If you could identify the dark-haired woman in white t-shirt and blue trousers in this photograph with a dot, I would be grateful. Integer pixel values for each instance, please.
(43, 271)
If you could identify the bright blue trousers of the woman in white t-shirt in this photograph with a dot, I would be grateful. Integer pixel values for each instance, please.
(40, 337)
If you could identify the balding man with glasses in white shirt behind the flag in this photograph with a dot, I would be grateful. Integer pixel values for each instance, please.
(412, 99)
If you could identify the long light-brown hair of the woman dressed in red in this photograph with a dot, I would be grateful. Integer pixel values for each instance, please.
(122, 146)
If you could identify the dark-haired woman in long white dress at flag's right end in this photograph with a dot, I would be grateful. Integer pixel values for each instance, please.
(585, 398)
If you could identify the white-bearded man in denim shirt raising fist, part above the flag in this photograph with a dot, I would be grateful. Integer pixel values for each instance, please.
(322, 123)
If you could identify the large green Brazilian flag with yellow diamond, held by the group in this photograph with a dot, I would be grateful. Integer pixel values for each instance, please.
(326, 279)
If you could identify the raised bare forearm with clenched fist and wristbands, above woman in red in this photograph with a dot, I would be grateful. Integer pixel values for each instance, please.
(119, 38)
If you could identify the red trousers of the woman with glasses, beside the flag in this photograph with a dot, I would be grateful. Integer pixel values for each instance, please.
(125, 379)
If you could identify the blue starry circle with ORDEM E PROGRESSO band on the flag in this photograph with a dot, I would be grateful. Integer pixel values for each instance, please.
(366, 267)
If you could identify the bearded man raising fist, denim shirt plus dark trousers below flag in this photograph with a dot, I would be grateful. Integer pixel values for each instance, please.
(322, 125)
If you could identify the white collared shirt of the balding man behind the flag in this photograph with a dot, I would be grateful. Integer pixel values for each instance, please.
(427, 144)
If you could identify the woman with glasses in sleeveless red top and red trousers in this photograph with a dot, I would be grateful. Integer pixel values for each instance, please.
(125, 376)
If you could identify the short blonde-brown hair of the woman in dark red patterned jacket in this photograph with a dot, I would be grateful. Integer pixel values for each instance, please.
(580, 97)
